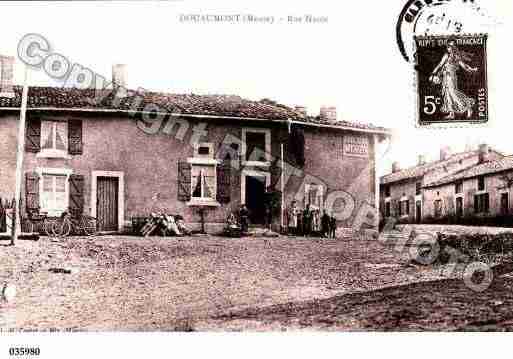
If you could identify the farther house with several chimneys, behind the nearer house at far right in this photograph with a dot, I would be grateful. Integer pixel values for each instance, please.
(404, 194)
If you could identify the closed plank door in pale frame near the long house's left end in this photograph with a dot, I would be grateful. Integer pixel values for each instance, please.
(107, 203)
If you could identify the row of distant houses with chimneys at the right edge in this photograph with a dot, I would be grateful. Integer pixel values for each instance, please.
(474, 183)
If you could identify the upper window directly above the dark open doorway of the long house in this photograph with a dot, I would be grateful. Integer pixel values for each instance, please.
(256, 146)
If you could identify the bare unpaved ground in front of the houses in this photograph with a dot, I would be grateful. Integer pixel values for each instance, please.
(123, 283)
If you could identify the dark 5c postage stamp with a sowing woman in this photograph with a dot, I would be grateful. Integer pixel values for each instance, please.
(451, 79)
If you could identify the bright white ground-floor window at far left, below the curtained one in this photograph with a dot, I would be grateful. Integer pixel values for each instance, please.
(54, 193)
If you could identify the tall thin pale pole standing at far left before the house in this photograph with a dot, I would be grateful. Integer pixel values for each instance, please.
(19, 160)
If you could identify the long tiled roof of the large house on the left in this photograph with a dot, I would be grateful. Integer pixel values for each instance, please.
(187, 104)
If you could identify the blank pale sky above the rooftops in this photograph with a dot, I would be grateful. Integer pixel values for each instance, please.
(351, 61)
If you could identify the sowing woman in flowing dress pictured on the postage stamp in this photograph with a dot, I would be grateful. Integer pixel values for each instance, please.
(454, 100)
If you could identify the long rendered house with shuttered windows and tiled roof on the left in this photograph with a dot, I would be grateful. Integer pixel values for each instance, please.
(113, 161)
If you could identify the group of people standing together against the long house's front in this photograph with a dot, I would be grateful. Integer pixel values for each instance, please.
(310, 222)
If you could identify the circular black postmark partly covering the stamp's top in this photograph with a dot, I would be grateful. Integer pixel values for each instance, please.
(439, 17)
